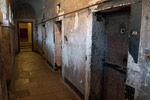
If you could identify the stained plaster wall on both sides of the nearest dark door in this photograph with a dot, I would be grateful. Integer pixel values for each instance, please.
(76, 50)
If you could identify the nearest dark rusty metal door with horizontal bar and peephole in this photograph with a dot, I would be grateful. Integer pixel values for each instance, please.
(117, 34)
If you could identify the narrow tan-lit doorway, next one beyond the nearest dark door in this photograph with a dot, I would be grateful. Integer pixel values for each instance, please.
(58, 44)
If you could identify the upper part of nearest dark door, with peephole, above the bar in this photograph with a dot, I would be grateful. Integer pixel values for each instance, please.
(117, 31)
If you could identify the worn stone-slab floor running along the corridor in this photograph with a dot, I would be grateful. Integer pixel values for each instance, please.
(34, 80)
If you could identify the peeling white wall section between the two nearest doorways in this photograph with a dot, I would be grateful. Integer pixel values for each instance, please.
(75, 58)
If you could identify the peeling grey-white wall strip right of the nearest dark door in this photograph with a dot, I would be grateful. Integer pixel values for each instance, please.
(138, 73)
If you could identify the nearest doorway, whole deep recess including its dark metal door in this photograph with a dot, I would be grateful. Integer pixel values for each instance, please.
(109, 55)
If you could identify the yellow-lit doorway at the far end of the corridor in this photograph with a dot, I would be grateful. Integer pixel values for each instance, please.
(25, 36)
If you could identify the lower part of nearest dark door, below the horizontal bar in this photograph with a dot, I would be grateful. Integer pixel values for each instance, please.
(114, 84)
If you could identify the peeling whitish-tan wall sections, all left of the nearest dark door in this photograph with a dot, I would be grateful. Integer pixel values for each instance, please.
(76, 49)
